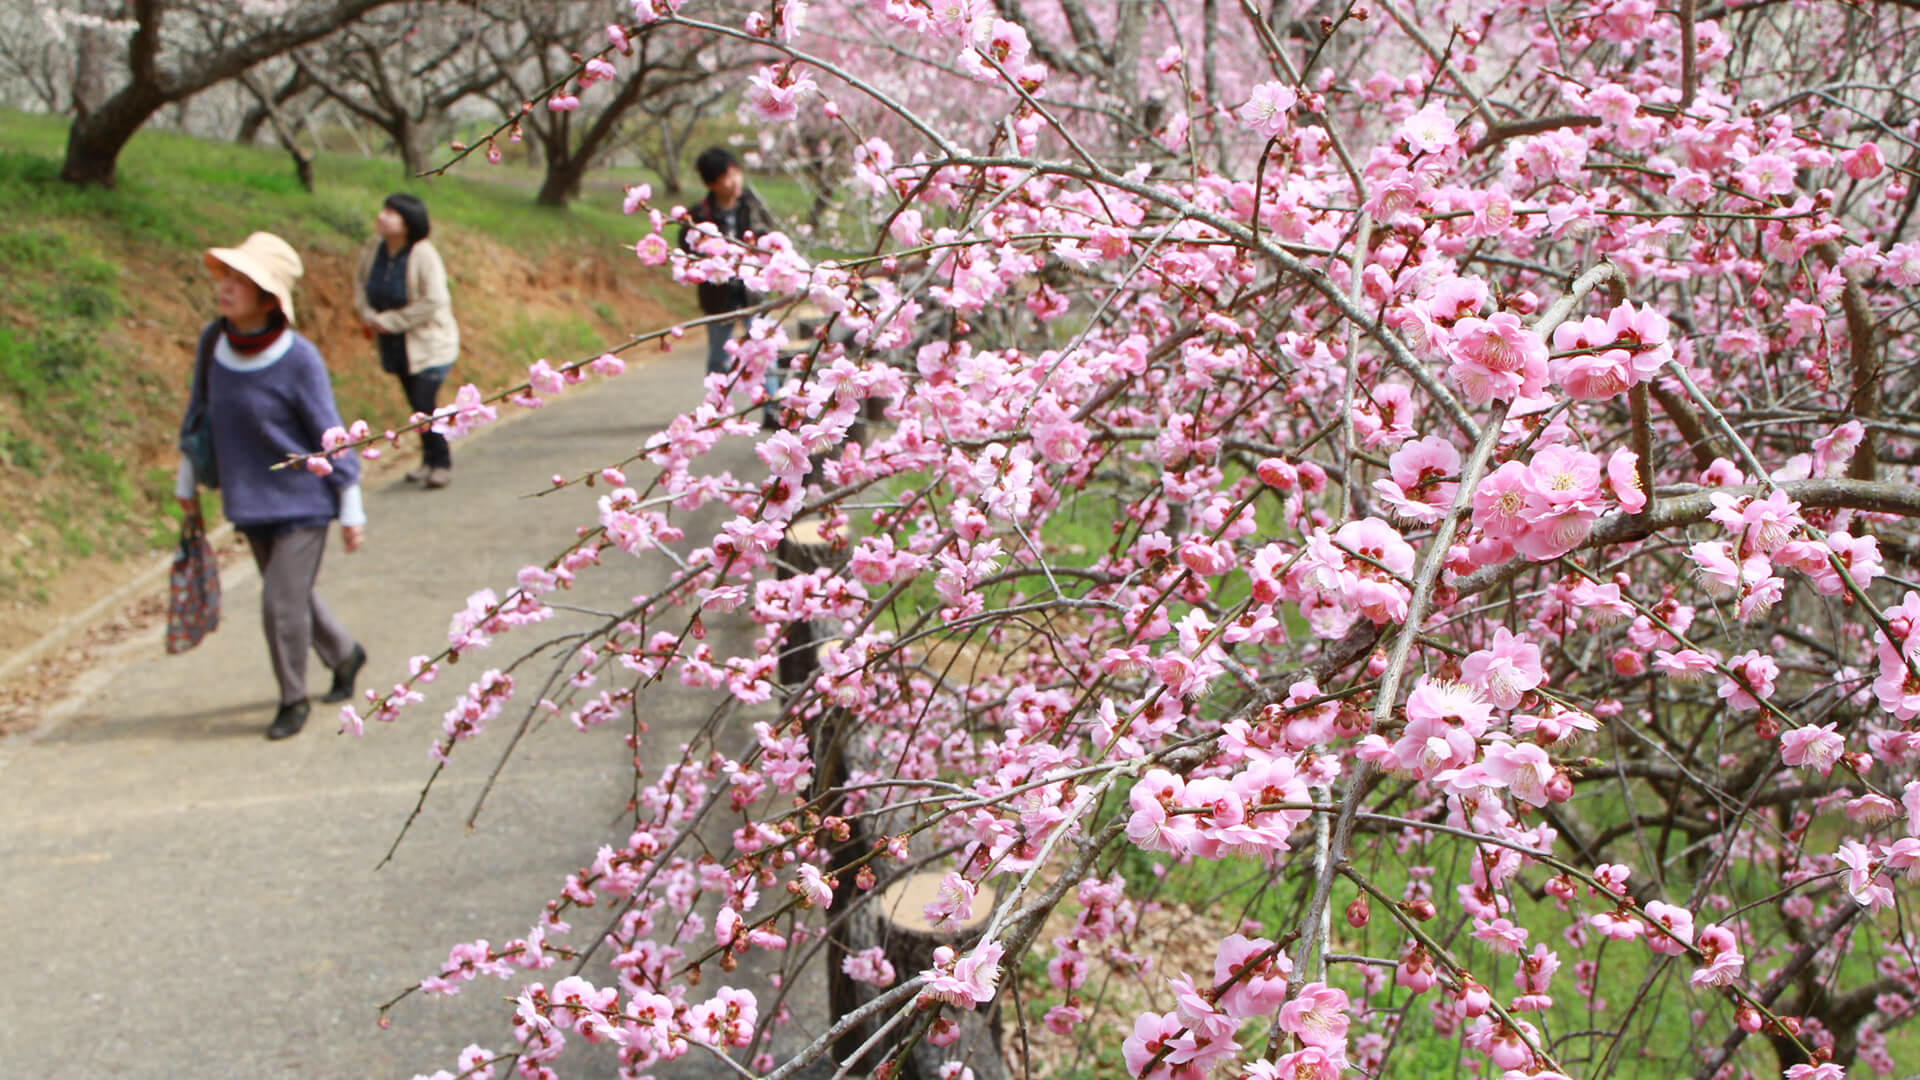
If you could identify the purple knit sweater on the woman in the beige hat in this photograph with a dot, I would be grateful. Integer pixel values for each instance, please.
(264, 408)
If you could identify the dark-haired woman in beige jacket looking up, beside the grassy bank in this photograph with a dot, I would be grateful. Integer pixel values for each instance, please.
(402, 299)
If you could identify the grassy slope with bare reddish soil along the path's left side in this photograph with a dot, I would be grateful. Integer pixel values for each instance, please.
(107, 293)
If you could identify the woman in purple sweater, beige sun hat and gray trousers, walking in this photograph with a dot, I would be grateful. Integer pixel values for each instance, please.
(266, 395)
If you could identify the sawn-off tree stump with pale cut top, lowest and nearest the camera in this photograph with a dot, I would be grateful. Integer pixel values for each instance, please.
(898, 925)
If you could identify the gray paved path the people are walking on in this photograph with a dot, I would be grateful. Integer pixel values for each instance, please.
(183, 898)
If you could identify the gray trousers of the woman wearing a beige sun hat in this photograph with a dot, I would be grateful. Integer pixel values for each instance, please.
(291, 612)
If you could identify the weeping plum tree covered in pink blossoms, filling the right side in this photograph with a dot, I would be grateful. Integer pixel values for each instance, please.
(1497, 420)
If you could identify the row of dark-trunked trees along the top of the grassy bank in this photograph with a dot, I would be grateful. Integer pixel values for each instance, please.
(410, 70)
